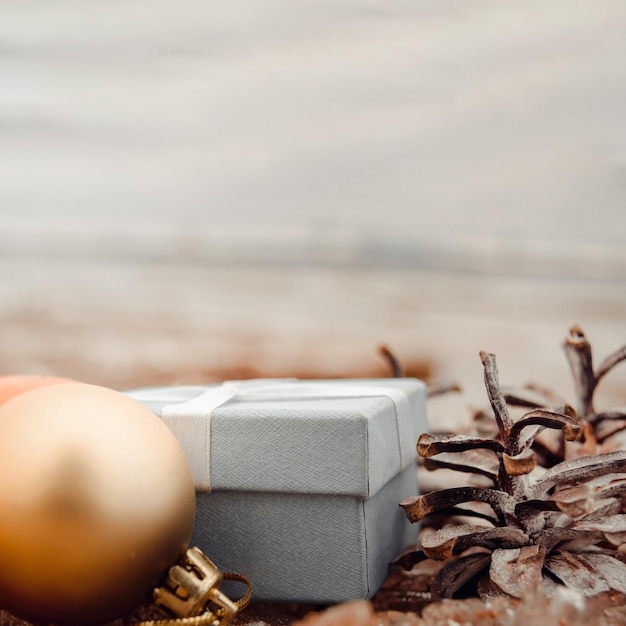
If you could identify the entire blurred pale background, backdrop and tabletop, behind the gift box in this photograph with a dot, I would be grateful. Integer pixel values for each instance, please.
(193, 191)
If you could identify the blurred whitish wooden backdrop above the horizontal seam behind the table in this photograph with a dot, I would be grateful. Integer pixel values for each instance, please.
(432, 133)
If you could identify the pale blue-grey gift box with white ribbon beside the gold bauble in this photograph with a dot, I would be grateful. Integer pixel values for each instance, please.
(299, 482)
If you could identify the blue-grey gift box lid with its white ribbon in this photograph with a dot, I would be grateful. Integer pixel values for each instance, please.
(344, 436)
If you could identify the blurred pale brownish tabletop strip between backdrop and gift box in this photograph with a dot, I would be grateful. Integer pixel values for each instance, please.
(122, 324)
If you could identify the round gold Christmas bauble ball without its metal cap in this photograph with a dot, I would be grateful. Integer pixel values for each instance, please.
(96, 502)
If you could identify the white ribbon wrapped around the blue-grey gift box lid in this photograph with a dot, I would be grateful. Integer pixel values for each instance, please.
(190, 421)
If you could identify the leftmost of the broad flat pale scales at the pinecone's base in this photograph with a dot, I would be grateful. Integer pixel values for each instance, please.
(517, 571)
